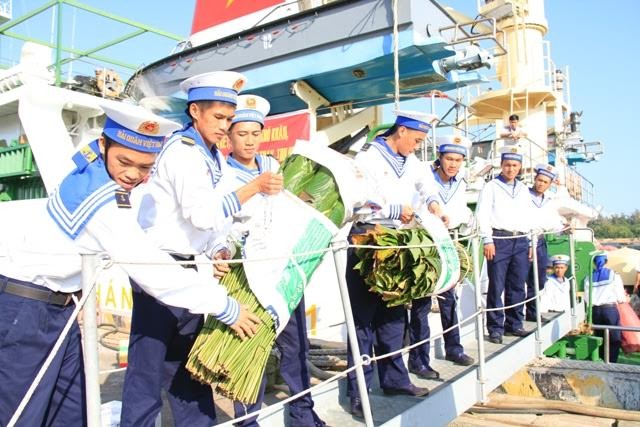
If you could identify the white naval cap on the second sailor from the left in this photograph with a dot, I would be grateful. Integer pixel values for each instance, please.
(214, 86)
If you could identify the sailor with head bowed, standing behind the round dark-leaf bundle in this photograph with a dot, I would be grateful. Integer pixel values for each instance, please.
(403, 183)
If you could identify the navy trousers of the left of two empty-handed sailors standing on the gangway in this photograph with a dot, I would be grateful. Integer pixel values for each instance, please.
(507, 274)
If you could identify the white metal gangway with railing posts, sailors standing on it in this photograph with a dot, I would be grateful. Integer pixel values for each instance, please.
(460, 387)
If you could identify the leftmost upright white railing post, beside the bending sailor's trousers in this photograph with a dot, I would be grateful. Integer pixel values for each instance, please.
(90, 342)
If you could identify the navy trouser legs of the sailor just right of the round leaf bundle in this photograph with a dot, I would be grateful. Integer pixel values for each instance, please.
(419, 328)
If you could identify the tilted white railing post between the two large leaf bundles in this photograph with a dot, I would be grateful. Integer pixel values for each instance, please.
(339, 249)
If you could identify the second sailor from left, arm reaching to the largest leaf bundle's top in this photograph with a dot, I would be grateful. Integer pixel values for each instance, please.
(190, 199)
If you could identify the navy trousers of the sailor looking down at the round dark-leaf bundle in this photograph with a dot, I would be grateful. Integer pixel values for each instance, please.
(378, 328)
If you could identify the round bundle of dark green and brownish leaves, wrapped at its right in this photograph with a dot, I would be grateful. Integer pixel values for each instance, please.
(400, 275)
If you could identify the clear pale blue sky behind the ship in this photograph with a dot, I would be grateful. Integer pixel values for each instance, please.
(587, 35)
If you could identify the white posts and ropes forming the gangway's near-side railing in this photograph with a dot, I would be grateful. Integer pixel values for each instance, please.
(93, 264)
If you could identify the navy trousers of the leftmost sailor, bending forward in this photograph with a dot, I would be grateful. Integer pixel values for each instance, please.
(28, 331)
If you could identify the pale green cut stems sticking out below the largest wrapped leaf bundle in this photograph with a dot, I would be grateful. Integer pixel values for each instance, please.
(220, 356)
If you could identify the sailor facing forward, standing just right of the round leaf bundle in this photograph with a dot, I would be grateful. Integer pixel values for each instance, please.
(451, 191)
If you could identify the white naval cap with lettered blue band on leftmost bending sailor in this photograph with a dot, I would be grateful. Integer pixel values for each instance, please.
(136, 127)
